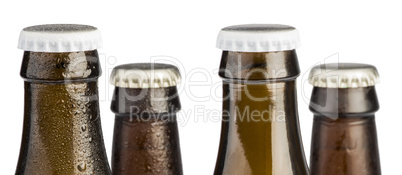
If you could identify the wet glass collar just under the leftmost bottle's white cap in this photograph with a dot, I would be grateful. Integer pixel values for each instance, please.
(60, 67)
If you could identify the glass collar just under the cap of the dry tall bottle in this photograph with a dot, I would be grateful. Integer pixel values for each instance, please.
(263, 67)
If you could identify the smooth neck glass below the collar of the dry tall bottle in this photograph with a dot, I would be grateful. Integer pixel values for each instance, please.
(263, 130)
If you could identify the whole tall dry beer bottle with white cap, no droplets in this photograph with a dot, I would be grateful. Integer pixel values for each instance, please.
(260, 129)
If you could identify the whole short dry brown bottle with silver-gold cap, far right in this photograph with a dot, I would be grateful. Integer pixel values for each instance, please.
(344, 138)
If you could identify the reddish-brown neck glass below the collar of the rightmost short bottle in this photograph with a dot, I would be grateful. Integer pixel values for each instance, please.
(346, 145)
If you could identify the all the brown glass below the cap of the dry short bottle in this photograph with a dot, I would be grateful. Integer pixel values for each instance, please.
(344, 138)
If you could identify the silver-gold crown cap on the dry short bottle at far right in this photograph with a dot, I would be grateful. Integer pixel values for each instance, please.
(343, 75)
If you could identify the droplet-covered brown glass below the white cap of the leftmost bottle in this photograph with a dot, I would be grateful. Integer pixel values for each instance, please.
(62, 128)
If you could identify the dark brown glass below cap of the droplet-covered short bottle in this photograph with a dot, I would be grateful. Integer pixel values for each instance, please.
(146, 138)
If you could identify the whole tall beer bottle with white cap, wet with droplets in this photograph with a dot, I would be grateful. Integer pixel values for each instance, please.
(62, 128)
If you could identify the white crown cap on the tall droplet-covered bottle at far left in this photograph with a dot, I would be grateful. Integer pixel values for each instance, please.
(60, 38)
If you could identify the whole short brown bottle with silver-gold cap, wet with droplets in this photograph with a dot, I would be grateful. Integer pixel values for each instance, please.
(145, 102)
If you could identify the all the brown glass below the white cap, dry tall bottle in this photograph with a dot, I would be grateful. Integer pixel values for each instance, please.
(260, 128)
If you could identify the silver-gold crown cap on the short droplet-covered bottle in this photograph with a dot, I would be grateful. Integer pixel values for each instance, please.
(145, 75)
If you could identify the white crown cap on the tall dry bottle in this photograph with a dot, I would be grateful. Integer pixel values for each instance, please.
(258, 38)
